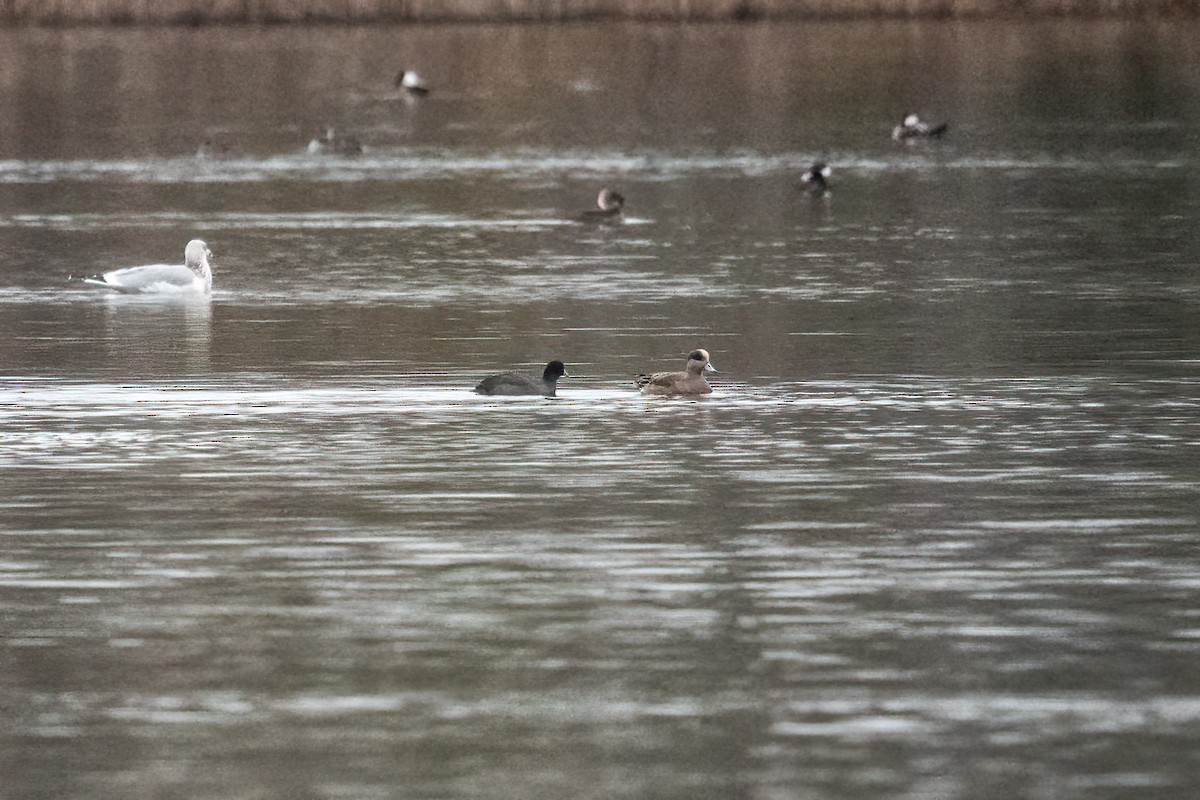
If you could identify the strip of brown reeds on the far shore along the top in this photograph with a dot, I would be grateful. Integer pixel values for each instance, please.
(217, 13)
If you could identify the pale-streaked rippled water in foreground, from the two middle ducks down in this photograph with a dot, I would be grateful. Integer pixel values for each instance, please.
(775, 564)
